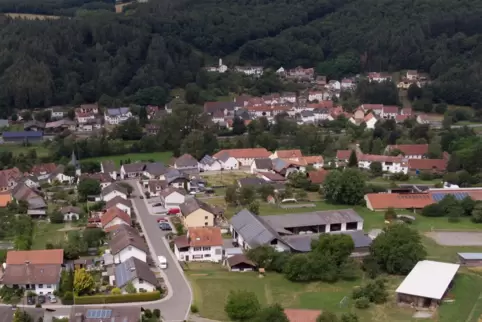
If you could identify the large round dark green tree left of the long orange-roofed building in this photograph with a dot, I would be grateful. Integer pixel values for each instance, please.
(347, 187)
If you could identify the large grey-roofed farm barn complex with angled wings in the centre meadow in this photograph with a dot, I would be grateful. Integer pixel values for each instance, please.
(294, 232)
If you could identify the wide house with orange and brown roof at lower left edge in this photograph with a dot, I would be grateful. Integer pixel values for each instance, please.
(33, 270)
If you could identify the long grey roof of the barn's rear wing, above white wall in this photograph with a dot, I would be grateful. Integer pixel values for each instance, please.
(314, 218)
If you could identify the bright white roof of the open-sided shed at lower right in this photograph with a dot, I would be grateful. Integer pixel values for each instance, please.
(428, 279)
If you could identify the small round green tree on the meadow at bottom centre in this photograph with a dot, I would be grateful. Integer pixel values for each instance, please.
(241, 305)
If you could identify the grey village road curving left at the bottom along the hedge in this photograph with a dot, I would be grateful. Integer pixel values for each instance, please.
(175, 307)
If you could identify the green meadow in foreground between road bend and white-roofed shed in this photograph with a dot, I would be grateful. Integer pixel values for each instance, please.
(212, 282)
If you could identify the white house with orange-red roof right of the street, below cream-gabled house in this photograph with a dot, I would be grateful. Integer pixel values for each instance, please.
(200, 244)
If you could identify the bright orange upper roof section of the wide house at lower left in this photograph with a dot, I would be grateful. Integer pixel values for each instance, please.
(44, 256)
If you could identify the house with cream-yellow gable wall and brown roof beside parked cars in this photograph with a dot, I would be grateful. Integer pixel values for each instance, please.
(196, 213)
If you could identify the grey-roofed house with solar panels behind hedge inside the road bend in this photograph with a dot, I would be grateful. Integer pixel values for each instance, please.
(136, 272)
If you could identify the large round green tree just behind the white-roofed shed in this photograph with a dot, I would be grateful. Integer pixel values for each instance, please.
(398, 249)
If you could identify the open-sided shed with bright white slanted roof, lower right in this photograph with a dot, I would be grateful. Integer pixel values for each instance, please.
(426, 284)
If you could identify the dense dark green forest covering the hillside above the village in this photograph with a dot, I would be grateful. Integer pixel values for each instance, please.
(161, 45)
